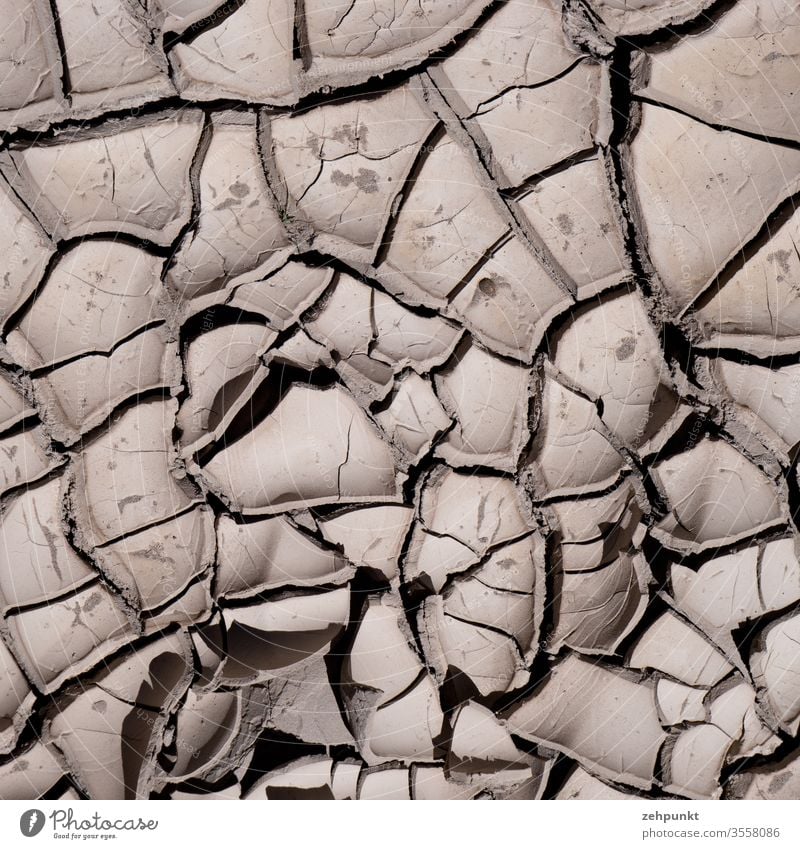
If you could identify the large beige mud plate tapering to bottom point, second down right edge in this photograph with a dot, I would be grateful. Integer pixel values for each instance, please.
(686, 176)
